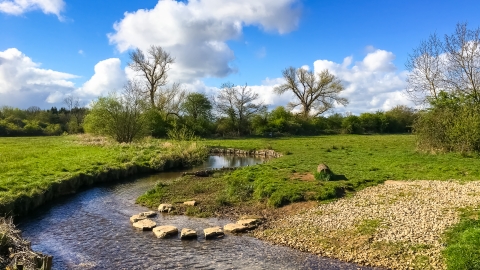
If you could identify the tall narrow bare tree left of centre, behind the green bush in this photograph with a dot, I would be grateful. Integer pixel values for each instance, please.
(154, 67)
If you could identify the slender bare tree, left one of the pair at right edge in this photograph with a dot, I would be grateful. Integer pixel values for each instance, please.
(427, 71)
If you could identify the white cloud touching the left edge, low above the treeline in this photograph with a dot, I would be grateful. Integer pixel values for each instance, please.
(23, 83)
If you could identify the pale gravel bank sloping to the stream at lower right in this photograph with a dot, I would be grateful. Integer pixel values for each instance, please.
(397, 225)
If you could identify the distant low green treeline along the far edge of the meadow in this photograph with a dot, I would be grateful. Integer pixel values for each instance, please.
(277, 122)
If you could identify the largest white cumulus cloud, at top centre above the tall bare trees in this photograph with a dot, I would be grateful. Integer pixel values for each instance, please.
(196, 32)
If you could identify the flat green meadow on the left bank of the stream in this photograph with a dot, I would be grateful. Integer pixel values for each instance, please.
(30, 167)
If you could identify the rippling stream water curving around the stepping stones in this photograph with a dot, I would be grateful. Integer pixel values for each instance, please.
(91, 230)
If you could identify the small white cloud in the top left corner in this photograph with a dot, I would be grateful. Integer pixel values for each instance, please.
(18, 7)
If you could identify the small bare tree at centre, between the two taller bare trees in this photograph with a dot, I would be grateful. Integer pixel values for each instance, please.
(237, 103)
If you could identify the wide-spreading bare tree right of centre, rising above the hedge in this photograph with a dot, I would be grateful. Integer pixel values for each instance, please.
(315, 92)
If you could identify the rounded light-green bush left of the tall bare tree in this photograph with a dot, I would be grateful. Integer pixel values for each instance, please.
(122, 117)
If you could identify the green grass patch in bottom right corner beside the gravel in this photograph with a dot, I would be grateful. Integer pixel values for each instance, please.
(463, 242)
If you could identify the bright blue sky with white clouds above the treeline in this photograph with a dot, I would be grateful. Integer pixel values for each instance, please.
(50, 49)
